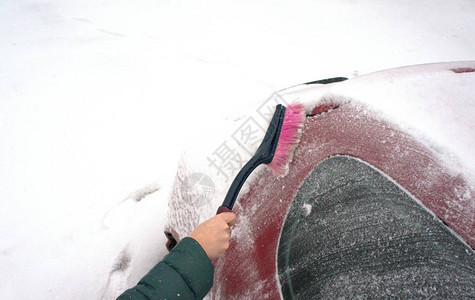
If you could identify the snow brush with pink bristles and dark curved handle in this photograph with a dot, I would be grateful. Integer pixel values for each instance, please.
(276, 149)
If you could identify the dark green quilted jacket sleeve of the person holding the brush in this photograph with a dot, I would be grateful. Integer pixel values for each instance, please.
(185, 273)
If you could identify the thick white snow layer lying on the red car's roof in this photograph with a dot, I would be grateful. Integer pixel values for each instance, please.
(434, 102)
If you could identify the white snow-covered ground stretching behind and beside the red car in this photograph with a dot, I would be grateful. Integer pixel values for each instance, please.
(99, 98)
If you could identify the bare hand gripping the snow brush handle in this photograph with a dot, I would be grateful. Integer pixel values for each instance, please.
(213, 235)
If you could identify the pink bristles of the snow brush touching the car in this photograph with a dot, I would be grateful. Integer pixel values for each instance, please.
(289, 138)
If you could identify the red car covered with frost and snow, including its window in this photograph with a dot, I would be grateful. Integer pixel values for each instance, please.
(383, 159)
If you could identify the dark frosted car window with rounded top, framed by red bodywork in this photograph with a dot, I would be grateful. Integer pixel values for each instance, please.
(353, 233)
